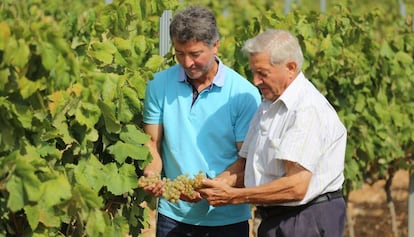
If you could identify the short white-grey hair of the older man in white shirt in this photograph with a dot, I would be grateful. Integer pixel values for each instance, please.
(281, 45)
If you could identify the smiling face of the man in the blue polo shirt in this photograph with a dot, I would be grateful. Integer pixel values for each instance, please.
(196, 57)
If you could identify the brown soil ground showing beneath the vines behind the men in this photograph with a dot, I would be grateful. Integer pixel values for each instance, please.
(367, 208)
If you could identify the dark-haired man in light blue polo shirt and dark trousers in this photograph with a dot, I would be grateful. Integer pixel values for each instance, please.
(197, 114)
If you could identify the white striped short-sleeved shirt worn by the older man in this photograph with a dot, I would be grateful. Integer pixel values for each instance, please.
(300, 126)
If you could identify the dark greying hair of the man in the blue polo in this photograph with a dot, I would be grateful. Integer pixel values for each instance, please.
(194, 23)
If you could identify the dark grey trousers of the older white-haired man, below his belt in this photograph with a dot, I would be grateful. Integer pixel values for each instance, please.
(324, 219)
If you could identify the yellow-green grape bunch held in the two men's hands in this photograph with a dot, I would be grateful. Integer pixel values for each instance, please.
(174, 188)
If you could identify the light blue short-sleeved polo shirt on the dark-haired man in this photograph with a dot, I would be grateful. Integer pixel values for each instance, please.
(201, 136)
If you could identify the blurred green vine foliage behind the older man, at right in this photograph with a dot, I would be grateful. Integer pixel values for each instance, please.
(368, 80)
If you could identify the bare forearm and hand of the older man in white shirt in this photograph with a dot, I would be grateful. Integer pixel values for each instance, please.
(291, 187)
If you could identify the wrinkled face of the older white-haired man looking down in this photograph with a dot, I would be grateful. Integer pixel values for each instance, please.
(272, 80)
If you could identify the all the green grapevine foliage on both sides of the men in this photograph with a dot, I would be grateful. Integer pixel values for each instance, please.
(72, 81)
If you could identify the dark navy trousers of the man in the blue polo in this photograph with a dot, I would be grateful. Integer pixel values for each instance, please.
(167, 227)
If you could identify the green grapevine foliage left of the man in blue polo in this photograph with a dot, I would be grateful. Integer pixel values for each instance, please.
(72, 81)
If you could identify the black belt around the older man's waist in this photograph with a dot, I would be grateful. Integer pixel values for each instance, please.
(268, 211)
